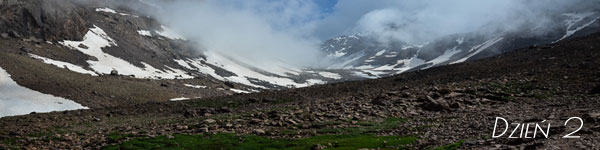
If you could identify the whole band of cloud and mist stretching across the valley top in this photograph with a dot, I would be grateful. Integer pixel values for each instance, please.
(265, 32)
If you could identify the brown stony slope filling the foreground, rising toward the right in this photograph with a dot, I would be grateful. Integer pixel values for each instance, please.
(451, 105)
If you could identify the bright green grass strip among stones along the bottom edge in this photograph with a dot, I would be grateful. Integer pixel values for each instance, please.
(231, 141)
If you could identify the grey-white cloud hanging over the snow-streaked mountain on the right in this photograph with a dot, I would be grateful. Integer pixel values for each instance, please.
(418, 21)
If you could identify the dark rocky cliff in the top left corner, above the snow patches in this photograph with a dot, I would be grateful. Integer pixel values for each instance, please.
(47, 19)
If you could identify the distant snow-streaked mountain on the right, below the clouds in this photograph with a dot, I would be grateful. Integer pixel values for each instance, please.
(370, 58)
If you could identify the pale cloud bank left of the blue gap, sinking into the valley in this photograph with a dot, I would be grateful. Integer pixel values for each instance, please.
(258, 32)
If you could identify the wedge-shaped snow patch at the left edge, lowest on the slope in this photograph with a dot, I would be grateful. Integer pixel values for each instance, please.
(18, 100)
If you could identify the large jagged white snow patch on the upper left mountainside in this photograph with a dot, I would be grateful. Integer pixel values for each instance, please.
(96, 39)
